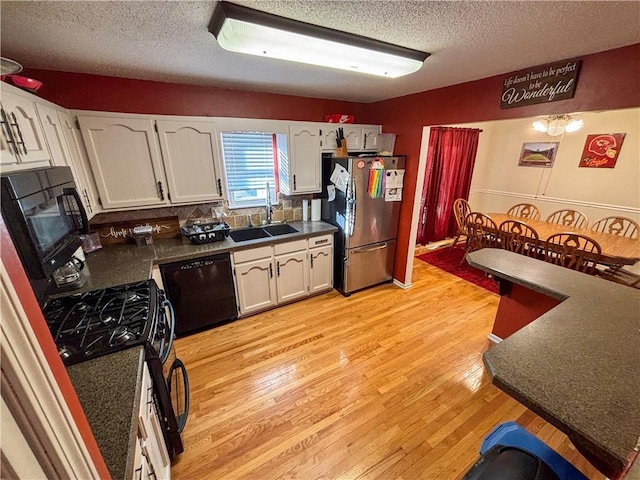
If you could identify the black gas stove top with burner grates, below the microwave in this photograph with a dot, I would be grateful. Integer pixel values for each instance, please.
(95, 323)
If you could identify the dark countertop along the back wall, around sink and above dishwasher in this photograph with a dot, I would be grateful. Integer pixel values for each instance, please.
(120, 264)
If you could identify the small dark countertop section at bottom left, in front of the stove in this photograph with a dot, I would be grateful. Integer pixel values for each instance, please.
(109, 391)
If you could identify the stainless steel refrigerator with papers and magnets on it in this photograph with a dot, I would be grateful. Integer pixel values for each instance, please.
(365, 244)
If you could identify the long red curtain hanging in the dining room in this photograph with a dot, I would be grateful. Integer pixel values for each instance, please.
(450, 159)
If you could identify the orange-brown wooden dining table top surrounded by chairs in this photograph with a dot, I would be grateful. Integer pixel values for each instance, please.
(615, 249)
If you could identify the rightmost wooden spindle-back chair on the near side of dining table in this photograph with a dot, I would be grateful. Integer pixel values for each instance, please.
(574, 251)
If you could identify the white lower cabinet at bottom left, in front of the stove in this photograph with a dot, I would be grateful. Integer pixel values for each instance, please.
(151, 459)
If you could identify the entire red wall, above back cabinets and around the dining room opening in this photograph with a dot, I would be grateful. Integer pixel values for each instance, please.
(608, 80)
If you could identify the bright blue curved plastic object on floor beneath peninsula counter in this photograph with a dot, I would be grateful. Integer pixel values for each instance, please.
(513, 435)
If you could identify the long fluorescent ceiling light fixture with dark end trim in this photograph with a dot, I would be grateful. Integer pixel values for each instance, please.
(245, 30)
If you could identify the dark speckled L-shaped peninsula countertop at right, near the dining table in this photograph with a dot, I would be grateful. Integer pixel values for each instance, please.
(576, 365)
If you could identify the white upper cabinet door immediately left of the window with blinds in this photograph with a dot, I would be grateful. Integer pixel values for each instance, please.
(188, 152)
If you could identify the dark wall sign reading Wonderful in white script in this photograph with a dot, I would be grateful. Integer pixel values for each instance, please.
(542, 84)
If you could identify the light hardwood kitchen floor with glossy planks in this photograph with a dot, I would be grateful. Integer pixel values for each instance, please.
(386, 384)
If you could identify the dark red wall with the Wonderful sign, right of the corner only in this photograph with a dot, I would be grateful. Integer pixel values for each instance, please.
(607, 81)
